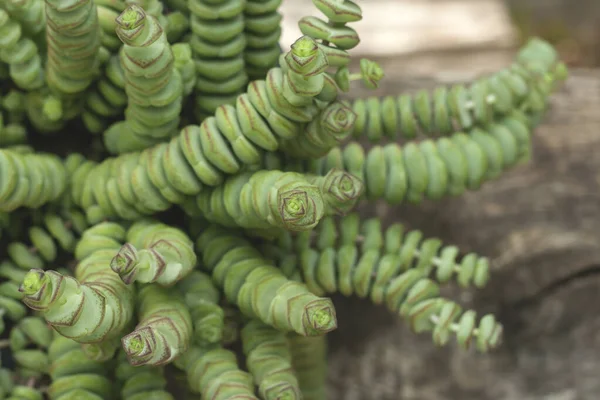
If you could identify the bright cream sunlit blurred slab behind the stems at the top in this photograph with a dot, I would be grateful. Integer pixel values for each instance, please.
(394, 27)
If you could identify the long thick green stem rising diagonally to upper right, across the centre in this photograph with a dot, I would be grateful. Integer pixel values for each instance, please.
(142, 183)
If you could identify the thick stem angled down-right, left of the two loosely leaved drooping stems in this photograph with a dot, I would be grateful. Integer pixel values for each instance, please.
(259, 289)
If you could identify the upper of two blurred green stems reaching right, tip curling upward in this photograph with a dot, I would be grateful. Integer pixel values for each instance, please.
(524, 86)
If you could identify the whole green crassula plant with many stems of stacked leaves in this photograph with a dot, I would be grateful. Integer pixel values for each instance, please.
(174, 187)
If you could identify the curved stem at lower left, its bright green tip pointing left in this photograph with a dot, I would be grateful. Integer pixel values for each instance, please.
(95, 305)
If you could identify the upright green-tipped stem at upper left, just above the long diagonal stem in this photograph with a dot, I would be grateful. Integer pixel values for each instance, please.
(154, 85)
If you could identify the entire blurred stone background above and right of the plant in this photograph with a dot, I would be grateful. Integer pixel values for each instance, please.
(538, 223)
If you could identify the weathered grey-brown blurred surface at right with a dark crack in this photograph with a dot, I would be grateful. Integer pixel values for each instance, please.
(538, 224)
